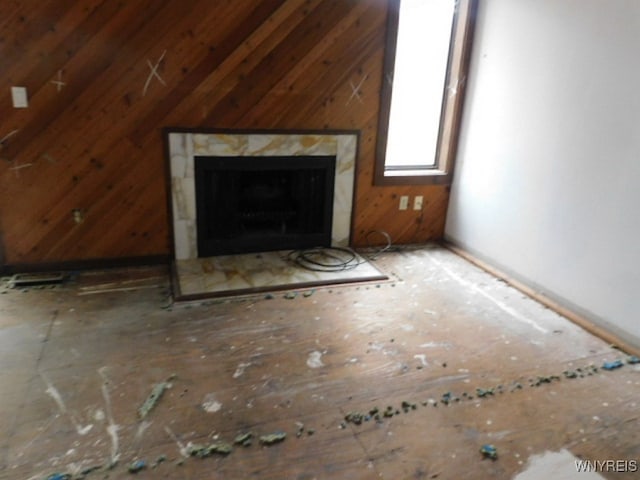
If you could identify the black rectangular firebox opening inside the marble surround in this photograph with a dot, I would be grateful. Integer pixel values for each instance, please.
(260, 204)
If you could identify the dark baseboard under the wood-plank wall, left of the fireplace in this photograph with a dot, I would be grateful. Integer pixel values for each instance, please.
(89, 264)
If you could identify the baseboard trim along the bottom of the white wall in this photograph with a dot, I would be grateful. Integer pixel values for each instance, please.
(581, 320)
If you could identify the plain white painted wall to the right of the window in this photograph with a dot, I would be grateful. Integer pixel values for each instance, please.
(547, 181)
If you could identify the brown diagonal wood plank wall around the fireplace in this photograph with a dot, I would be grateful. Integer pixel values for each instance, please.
(104, 76)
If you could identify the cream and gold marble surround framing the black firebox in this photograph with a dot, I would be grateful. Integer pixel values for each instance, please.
(184, 144)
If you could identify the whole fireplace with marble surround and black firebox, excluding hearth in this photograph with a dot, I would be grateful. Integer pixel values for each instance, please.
(305, 152)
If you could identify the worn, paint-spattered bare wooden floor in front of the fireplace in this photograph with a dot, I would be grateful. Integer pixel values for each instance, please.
(78, 361)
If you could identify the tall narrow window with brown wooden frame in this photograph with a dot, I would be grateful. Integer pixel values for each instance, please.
(427, 55)
